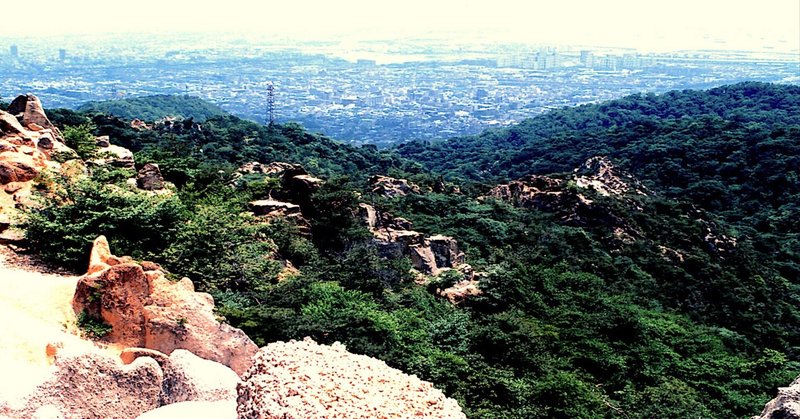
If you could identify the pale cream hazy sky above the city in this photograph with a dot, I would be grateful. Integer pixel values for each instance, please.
(647, 25)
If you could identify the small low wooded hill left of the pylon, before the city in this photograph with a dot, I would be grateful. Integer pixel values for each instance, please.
(151, 108)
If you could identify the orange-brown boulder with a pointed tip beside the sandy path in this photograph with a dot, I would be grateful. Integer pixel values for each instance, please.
(144, 309)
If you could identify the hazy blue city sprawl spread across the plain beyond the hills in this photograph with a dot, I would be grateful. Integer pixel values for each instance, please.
(381, 93)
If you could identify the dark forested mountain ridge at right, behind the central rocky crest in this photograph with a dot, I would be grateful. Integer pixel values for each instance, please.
(734, 149)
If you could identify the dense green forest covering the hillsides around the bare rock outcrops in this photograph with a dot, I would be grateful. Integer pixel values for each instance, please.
(575, 319)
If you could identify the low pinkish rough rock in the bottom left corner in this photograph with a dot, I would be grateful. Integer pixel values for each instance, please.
(92, 385)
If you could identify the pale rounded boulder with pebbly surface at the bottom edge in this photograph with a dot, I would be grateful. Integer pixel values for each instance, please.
(307, 380)
